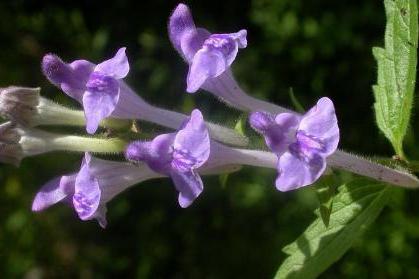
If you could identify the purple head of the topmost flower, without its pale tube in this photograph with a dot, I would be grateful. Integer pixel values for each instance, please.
(208, 55)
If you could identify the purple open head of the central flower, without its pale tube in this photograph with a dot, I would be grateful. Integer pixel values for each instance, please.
(177, 155)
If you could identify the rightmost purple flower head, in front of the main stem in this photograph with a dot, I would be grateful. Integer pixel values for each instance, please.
(301, 143)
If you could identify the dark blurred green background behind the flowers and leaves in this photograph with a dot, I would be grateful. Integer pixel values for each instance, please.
(237, 230)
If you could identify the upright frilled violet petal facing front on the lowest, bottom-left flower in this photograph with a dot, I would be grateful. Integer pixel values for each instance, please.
(87, 192)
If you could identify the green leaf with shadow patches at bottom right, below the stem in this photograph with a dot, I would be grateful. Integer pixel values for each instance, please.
(357, 204)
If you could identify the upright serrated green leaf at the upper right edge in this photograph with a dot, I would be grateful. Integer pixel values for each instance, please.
(396, 71)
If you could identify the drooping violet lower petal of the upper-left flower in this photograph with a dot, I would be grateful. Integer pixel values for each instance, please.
(100, 99)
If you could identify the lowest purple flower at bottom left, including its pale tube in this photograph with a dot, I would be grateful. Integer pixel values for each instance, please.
(88, 191)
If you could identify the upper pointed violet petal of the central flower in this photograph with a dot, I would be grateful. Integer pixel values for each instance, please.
(191, 144)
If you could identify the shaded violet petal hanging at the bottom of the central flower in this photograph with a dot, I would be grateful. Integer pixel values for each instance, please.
(190, 186)
